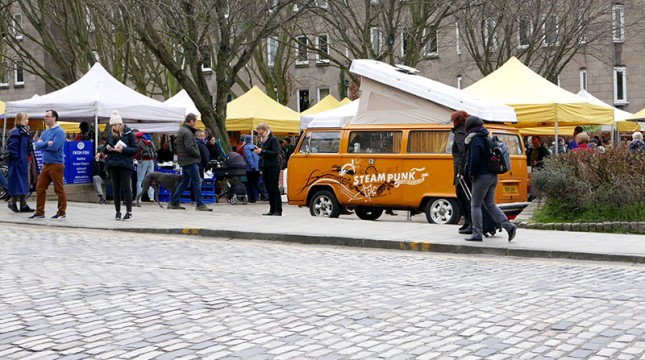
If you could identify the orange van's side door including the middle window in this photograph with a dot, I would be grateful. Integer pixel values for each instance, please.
(371, 168)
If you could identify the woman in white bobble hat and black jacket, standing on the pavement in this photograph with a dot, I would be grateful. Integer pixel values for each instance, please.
(120, 146)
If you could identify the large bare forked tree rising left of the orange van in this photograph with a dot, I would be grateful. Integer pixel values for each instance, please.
(187, 36)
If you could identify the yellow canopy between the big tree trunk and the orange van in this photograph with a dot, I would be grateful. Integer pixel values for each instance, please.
(254, 107)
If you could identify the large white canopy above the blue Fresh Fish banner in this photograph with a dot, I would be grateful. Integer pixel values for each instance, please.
(93, 98)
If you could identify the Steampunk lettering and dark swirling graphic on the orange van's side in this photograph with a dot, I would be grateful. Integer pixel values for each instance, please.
(366, 183)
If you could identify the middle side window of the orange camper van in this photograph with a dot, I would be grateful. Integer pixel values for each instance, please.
(378, 142)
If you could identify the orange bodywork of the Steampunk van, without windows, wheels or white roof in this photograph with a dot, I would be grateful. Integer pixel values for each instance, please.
(391, 180)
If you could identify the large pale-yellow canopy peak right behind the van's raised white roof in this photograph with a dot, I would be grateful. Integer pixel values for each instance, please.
(537, 101)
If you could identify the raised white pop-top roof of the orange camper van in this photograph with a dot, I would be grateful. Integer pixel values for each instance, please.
(397, 95)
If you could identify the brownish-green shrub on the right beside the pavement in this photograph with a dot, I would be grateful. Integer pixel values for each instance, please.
(590, 182)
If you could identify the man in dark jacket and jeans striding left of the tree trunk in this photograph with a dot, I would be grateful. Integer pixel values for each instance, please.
(188, 157)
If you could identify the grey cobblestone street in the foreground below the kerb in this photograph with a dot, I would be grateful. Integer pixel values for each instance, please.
(73, 293)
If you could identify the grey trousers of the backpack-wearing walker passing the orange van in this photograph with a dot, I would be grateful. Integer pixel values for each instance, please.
(484, 195)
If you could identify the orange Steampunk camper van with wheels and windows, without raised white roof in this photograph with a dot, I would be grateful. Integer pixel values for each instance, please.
(403, 167)
